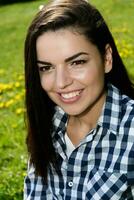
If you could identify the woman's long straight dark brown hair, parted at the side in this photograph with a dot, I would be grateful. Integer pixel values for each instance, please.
(87, 20)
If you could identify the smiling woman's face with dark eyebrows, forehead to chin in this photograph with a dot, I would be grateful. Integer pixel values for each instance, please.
(71, 70)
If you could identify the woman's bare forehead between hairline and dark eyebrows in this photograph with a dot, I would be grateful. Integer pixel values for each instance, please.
(63, 43)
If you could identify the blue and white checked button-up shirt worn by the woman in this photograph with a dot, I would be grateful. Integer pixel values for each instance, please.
(101, 167)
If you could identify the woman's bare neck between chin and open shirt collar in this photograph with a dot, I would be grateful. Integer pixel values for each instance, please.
(80, 125)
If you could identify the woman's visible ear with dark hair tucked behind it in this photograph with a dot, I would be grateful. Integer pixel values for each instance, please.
(108, 59)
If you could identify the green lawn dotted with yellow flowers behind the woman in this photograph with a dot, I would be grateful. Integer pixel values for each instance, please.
(14, 20)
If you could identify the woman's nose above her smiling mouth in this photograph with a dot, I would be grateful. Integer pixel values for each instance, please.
(63, 78)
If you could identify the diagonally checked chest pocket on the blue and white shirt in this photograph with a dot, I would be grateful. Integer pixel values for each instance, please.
(104, 185)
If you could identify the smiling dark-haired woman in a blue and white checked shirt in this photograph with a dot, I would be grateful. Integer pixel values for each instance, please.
(80, 107)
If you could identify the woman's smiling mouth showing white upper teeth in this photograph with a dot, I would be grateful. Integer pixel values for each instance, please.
(70, 97)
